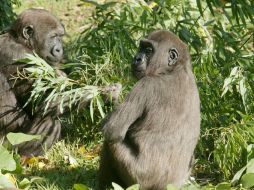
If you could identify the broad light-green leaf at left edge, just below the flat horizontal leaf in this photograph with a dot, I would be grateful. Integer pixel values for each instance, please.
(9, 163)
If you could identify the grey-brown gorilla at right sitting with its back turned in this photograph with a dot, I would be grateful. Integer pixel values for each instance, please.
(150, 138)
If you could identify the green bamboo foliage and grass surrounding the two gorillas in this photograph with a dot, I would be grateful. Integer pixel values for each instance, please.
(102, 37)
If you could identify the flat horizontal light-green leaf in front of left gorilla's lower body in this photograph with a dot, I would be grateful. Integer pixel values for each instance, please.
(17, 138)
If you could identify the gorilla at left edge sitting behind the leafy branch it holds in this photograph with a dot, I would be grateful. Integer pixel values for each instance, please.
(34, 30)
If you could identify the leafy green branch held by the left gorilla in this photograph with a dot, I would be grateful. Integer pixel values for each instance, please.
(52, 87)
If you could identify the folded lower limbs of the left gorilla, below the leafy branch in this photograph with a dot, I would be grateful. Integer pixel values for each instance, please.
(14, 118)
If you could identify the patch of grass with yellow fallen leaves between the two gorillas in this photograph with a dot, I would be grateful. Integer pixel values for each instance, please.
(63, 166)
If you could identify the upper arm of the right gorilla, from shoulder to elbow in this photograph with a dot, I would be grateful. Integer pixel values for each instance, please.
(126, 114)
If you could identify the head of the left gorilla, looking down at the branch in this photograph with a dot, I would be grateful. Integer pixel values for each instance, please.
(40, 31)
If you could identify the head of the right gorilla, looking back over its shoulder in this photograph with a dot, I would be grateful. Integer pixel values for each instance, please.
(159, 53)
